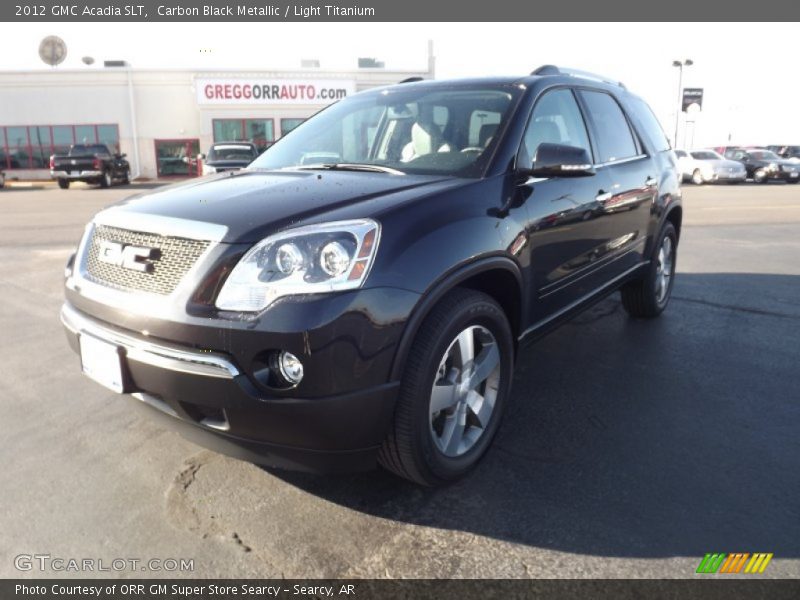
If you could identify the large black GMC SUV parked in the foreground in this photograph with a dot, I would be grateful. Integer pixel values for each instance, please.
(362, 289)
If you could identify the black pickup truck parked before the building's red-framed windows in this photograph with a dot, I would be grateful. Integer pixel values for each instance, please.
(91, 163)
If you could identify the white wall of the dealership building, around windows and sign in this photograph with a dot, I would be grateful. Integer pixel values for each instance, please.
(164, 103)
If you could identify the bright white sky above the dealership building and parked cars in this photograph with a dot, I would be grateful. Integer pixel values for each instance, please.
(751, 88)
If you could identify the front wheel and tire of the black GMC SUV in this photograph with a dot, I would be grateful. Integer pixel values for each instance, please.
(454, 390)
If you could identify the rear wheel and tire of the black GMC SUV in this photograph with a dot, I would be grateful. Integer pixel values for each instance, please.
(648, 297)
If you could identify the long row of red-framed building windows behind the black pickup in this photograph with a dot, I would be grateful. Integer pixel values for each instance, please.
(30, 147)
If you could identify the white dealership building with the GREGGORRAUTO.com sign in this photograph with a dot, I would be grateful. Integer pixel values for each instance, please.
(162, 118)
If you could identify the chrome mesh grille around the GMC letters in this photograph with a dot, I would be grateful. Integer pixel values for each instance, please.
(177, 256)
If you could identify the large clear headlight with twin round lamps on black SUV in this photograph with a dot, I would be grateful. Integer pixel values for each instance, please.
(308, 260)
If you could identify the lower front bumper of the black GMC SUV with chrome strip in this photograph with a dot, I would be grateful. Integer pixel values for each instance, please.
(213, 400)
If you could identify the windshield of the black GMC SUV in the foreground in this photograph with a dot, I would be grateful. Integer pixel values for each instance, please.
(421, 130)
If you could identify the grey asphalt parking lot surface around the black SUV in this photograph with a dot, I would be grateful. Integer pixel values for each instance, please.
(631, 449)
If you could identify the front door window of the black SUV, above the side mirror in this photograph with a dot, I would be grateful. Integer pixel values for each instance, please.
(556, 119)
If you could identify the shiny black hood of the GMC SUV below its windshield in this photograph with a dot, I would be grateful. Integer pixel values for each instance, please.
(254, 204)
